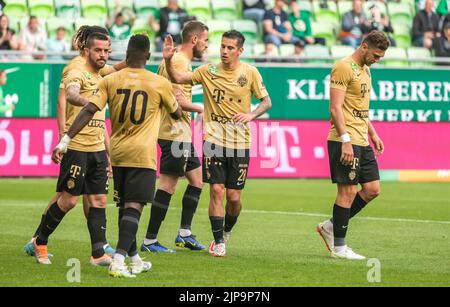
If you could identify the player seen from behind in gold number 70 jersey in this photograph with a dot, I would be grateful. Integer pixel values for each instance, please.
(135, 97)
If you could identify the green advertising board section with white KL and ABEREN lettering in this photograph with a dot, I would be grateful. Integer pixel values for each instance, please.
(397, 94)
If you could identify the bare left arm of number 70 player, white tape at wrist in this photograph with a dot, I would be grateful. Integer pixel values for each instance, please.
(82, 119)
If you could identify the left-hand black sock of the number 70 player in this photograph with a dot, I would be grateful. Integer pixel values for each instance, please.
(128, 230)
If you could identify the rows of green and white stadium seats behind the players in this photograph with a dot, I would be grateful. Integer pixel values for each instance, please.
(223, 15)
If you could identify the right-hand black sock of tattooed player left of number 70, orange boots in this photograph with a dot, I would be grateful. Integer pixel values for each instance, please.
(96, 223)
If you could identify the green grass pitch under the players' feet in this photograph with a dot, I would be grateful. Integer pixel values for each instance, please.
(273, 244)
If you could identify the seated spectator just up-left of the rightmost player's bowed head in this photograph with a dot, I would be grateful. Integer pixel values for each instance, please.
(354, 25)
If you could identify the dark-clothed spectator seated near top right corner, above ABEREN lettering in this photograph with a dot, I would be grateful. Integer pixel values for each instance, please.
(425, 26)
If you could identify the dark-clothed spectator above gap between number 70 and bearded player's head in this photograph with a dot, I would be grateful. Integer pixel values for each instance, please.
(171, 21)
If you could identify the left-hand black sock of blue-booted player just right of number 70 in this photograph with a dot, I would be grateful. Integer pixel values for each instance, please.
(158, 213)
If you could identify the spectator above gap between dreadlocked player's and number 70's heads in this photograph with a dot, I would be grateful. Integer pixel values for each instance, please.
(118, 27)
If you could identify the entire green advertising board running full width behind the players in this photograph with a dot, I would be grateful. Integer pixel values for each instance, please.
(297, 93)
